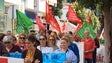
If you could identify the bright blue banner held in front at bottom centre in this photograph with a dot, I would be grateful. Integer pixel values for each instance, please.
(54, 57)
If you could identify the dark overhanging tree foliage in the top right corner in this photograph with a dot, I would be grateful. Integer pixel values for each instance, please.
(94, 4)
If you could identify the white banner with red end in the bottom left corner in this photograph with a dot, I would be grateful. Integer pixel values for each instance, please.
(10, 60)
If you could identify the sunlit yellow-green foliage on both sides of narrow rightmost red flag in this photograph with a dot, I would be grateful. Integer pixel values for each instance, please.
(82, 14)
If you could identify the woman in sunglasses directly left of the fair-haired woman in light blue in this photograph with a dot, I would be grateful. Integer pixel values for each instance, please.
(52, 42)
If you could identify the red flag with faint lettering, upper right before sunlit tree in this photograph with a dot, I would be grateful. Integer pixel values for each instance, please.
(72, 16)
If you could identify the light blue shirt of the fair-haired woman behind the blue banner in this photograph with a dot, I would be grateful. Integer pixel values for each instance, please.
(70, 56)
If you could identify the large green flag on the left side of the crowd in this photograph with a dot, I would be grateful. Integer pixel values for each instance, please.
(23, 23)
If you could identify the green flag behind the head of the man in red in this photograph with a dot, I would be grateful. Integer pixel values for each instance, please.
(85, 26)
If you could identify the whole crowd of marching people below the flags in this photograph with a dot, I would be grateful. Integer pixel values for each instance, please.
(31, 46)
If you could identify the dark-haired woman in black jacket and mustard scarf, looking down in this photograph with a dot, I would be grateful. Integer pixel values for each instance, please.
(32, 54)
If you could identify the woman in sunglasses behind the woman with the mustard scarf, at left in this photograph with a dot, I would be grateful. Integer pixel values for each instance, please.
(21, 42)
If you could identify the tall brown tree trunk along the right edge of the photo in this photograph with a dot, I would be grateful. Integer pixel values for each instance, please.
(108, 35)
